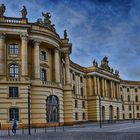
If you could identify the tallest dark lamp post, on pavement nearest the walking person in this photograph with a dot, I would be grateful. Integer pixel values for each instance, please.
(29, 123)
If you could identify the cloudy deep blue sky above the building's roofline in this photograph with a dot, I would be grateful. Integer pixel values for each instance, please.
(96, 28)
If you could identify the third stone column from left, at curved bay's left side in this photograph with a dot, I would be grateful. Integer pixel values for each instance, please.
(36, 60)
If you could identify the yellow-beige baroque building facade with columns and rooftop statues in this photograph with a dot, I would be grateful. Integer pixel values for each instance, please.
(34, 58)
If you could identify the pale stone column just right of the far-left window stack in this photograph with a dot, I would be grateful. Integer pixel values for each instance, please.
(24, 54)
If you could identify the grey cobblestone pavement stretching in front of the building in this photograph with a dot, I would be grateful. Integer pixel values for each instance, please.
(91, 131)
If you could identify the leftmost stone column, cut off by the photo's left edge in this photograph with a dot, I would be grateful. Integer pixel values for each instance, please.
(2, 54)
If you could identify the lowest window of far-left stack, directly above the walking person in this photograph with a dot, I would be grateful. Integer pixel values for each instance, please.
(14, 114)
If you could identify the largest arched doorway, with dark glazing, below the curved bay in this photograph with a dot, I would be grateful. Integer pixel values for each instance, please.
(52, 106)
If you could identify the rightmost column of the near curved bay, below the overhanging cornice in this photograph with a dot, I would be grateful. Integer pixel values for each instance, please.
(67, 68)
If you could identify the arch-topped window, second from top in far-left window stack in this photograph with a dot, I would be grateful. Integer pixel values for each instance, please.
(14, 71)
